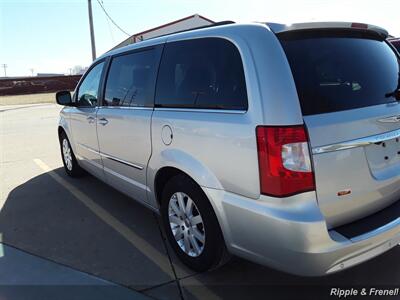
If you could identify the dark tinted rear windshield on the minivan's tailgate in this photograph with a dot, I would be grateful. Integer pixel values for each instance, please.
(335, 72)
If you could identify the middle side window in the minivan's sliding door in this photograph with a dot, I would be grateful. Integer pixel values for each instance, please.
(131, 79)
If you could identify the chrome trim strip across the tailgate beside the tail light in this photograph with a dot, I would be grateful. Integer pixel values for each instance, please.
(373, 139)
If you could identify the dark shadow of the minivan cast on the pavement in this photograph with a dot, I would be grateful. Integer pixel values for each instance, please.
(125, 245)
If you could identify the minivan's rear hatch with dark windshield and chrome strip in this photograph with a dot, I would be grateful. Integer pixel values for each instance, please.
(347, 82)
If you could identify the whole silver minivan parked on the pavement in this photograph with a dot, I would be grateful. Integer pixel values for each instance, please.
(276, 143)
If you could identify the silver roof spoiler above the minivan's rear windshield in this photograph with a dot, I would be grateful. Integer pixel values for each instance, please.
(278, 28)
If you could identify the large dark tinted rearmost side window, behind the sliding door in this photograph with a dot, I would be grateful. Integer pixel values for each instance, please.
(201, 73)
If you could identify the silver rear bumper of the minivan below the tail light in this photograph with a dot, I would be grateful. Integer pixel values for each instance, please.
(291, 235)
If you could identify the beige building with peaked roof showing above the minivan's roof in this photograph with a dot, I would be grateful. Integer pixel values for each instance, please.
(178, 25)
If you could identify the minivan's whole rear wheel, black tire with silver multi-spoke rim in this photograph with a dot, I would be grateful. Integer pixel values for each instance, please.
(190, 223)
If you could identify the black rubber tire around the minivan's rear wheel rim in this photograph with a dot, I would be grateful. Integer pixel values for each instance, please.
(214, 249)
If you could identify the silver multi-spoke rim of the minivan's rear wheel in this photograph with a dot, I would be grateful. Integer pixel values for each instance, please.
(186, 224)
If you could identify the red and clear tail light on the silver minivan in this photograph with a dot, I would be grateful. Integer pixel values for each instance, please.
(284, 160)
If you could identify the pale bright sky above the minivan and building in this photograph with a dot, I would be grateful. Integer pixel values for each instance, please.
(52, 36)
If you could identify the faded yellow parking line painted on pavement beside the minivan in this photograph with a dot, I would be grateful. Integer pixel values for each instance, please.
(141, 244)
